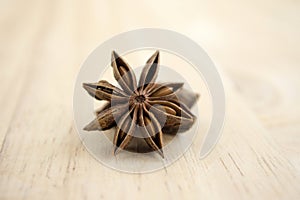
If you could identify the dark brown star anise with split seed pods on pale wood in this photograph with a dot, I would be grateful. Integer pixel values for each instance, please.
(144, 110)
